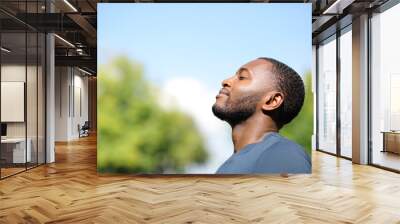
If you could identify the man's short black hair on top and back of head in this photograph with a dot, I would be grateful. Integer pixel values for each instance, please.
(289, 82)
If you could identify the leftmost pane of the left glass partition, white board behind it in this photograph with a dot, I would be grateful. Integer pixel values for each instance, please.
(14, 153)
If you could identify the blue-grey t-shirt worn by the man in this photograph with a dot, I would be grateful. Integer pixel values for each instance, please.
(274, 154)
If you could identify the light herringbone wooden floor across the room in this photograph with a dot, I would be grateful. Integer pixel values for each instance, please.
(70, 191)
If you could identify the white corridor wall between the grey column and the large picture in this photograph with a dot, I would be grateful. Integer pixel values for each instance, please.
(71, 93)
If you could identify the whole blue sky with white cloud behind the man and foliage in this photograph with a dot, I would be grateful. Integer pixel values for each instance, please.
(187, 50)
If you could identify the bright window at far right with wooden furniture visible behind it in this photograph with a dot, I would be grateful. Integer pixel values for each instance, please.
(385, 88)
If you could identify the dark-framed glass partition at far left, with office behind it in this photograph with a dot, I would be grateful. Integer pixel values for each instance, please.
(22, 88)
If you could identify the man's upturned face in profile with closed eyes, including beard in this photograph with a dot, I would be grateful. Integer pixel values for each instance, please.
(244, 93)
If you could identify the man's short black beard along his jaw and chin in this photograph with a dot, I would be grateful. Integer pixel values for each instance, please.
(238, 111)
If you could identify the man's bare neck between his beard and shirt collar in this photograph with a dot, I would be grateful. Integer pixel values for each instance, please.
(251, 131)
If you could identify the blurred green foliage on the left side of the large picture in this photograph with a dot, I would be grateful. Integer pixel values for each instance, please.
(135, 134)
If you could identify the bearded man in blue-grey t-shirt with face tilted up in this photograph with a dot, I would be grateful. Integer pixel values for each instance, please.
(263, 96)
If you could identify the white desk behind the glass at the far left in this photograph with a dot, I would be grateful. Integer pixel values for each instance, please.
(17, 151)
